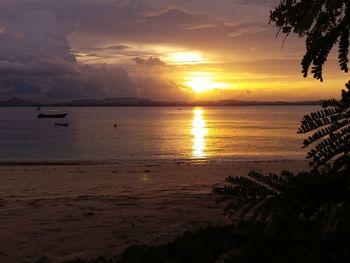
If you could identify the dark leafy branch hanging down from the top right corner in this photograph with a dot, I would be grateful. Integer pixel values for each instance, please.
(324, 23)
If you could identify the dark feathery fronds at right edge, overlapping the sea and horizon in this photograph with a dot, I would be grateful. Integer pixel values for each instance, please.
(331, 133)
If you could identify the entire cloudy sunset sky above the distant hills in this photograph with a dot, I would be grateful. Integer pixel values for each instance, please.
(168, 50)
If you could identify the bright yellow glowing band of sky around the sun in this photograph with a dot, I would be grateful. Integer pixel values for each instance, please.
(205, 76)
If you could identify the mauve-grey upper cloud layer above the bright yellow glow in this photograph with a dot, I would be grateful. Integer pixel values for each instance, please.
(151, 22)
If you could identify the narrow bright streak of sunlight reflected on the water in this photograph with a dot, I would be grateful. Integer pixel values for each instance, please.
(199, 131)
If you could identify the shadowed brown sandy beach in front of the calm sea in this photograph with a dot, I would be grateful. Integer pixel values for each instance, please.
(66, 211)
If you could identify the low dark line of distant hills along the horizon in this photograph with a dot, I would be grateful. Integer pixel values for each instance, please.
(132, 101)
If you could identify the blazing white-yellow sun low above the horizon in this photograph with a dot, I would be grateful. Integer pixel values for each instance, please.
(203, 82)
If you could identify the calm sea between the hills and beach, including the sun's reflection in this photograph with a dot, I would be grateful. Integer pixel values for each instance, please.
(150, 133)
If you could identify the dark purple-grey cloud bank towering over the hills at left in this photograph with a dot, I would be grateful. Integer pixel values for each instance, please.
(36, 59)
